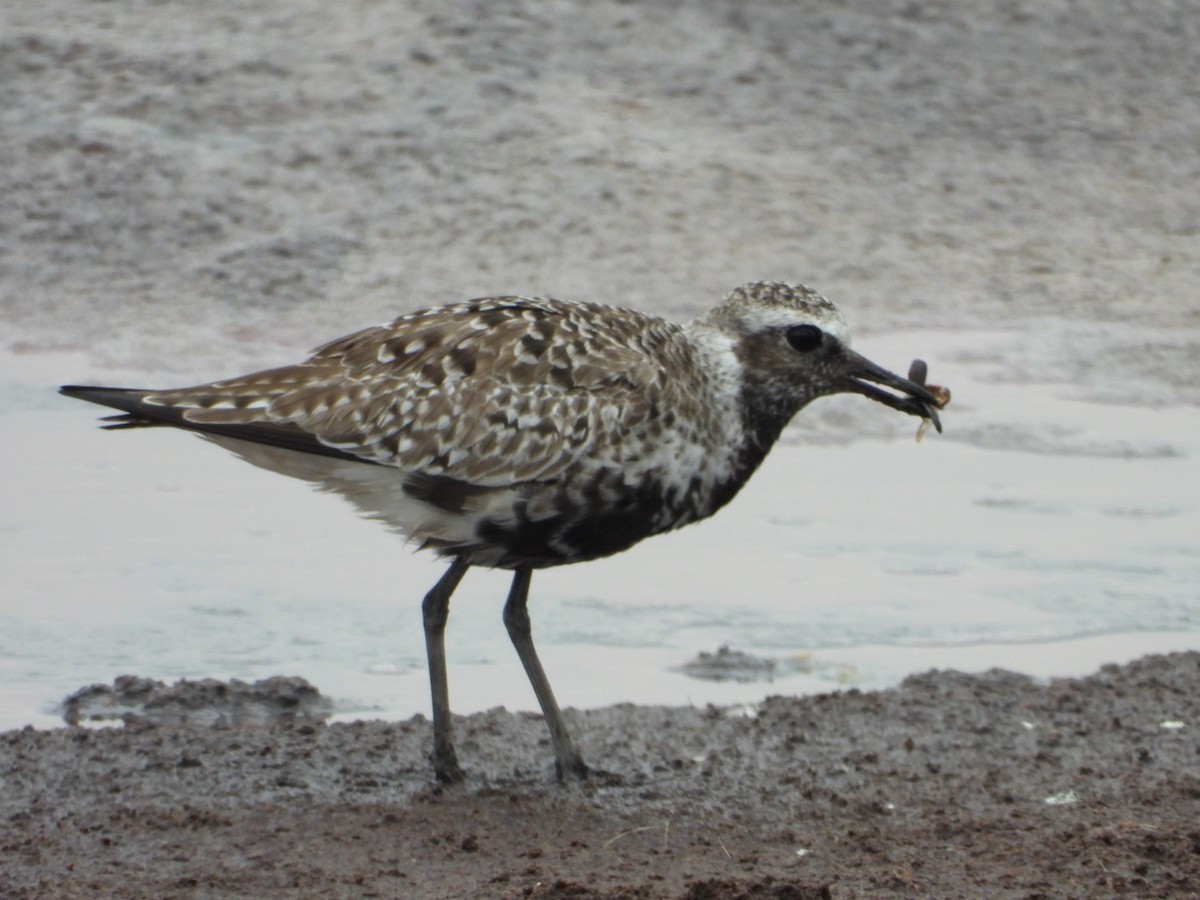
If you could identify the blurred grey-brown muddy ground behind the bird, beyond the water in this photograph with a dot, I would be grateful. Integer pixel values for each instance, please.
(296, 167)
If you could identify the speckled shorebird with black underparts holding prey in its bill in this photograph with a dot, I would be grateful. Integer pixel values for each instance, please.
(527, 433)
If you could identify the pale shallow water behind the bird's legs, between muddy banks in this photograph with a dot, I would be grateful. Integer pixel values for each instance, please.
(1043, 532)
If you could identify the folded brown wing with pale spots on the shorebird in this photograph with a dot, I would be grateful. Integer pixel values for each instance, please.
(490, 393)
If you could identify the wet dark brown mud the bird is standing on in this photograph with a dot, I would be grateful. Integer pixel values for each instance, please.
(950, 785)
